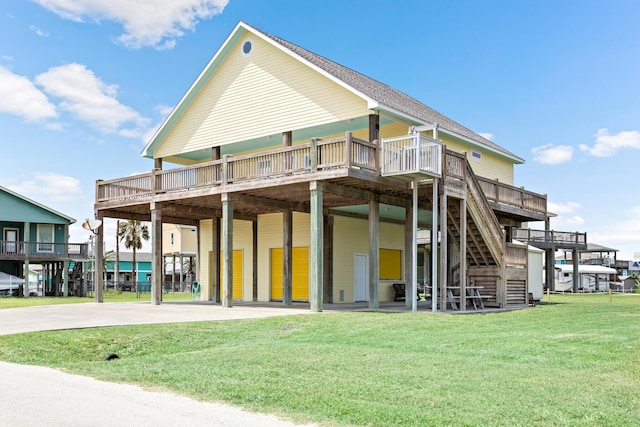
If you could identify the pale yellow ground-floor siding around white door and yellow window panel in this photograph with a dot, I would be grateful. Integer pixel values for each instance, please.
(351, 236)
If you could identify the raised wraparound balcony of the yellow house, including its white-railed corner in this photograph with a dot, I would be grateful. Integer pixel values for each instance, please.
(393, 161)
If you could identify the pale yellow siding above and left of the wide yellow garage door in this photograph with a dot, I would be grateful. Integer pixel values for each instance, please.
(270, 236)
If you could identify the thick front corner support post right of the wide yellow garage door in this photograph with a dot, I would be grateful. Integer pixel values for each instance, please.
(315, 265)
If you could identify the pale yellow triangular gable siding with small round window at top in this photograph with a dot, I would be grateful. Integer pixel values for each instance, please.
(281, 93)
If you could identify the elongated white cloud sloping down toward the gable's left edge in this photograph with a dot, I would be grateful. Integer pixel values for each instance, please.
(89, 99)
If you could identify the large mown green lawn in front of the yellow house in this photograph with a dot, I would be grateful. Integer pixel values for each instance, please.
(574, 361)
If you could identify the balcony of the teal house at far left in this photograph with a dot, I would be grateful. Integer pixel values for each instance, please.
(42, 251)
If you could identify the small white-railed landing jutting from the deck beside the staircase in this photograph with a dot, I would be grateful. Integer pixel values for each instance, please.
(411, 154)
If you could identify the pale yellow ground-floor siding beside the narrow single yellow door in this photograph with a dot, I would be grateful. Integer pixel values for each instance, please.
(243, 242)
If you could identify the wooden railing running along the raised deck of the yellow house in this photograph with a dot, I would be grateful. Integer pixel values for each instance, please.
(316, 156)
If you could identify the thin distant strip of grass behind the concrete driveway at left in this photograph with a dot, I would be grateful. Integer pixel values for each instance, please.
(108, 296)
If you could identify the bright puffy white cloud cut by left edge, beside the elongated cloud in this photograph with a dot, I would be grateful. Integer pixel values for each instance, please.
(19, 96)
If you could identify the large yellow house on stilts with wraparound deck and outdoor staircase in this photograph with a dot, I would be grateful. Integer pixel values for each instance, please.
(313, 181)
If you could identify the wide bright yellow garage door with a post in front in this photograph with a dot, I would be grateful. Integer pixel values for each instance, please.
(300, 274)
